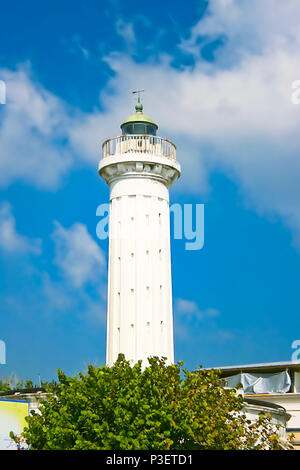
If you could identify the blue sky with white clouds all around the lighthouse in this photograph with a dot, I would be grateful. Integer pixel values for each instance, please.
(218, 78)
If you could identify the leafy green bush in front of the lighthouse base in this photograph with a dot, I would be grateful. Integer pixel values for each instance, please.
(159, 407)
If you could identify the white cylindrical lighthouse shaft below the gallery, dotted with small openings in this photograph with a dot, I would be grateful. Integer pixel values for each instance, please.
(140, 319)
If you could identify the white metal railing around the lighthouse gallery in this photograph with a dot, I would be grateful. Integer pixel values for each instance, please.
(136, 143)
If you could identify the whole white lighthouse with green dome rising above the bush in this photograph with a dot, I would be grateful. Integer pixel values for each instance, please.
(139, 168)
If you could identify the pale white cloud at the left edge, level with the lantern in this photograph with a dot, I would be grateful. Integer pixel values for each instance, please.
(33, 128)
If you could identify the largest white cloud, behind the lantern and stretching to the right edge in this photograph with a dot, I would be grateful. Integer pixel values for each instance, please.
(234, 114)
